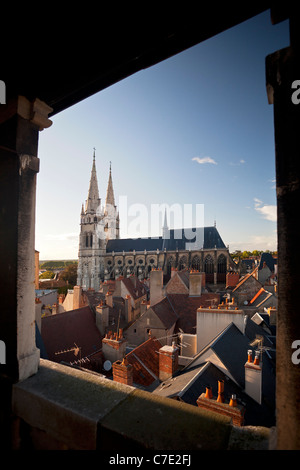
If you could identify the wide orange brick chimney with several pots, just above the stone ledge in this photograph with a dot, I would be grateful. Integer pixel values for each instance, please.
(232, 409)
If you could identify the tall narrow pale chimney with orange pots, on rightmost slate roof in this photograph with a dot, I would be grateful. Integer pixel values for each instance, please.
(253, 377)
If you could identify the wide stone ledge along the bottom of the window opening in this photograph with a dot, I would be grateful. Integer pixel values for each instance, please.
(80, 410)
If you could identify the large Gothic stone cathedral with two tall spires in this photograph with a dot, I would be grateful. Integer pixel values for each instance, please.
(103, 255)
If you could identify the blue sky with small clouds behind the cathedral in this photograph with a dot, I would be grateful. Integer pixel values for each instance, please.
(195, 130)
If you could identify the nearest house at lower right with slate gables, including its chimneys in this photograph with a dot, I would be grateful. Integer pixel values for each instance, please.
(229, 359)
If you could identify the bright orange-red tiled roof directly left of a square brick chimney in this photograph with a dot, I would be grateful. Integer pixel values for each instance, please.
(145, 362)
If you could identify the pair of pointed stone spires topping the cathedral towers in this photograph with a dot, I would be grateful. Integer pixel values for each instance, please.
(93, 200)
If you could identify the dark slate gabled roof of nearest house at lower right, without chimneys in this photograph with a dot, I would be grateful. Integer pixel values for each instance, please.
(230, 347)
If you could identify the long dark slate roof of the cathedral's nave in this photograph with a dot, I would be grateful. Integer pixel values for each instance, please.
(177, 240)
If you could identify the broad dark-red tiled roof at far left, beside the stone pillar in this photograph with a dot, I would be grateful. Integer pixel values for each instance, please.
(63, 331)
